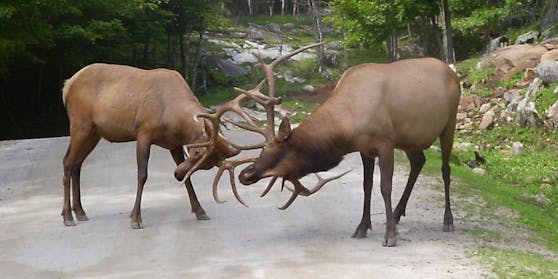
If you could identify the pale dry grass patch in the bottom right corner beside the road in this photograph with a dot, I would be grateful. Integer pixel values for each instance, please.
(508, 263)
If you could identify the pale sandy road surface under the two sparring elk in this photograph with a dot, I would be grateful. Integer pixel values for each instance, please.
(311, 239)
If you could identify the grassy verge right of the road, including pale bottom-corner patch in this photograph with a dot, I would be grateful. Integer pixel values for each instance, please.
(481, 197)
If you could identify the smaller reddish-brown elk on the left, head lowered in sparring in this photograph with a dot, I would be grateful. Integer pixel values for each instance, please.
(121, 104)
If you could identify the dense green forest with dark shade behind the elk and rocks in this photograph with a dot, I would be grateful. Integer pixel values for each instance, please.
(43, 42)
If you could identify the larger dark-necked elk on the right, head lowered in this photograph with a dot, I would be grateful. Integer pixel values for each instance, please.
(374, 109)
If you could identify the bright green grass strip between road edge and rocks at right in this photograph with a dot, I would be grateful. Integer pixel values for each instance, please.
(510, 192)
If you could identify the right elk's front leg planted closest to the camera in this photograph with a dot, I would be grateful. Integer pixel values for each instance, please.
(386, 171)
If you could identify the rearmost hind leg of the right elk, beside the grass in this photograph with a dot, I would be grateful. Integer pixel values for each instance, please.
(446, 143)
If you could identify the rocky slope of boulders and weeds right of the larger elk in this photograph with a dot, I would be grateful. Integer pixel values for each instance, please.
(512, 84)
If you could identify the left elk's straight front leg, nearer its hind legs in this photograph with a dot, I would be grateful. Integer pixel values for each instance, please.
(142, 153)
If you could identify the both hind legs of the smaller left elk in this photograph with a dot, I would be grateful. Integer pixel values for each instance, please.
(82, 142)
